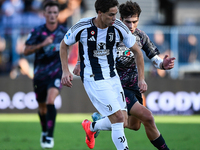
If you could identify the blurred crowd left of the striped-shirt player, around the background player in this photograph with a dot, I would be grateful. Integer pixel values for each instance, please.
(17, 18)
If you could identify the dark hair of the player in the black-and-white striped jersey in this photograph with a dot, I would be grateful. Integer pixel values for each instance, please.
(105, 5)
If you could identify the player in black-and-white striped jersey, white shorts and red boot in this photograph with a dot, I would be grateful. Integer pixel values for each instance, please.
(98, 39)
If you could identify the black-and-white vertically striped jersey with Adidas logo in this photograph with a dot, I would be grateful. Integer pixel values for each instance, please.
(98, 47)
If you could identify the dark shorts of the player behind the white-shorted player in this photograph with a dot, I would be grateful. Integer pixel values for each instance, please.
(132, 96)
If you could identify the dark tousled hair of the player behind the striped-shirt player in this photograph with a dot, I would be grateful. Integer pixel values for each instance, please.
(129, 9)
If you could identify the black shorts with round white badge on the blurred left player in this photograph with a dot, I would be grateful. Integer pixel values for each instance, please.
(41, 87)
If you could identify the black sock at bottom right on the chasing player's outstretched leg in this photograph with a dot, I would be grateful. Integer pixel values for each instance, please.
(160, 144)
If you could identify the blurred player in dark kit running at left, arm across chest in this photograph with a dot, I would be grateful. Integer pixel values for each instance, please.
(44, 41)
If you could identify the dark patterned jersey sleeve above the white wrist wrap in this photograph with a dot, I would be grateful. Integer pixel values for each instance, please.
(149, 48)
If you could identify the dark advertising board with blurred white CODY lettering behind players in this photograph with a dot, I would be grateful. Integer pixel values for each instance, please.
(164, 96)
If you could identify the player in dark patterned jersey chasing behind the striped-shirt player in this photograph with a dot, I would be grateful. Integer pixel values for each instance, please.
(126, 67)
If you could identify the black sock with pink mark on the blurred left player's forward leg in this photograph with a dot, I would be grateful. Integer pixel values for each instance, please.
(51, 117)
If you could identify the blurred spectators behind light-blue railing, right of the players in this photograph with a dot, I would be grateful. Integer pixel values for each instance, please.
(181, 42)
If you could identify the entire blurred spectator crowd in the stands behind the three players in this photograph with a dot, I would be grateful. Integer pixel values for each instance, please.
(18, 17)
